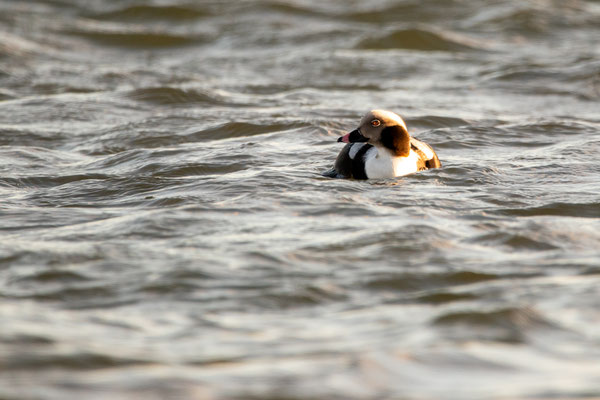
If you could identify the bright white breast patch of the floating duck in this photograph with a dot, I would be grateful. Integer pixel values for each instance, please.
(380, 164)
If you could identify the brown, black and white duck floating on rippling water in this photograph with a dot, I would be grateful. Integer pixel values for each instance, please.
(381, 148)
